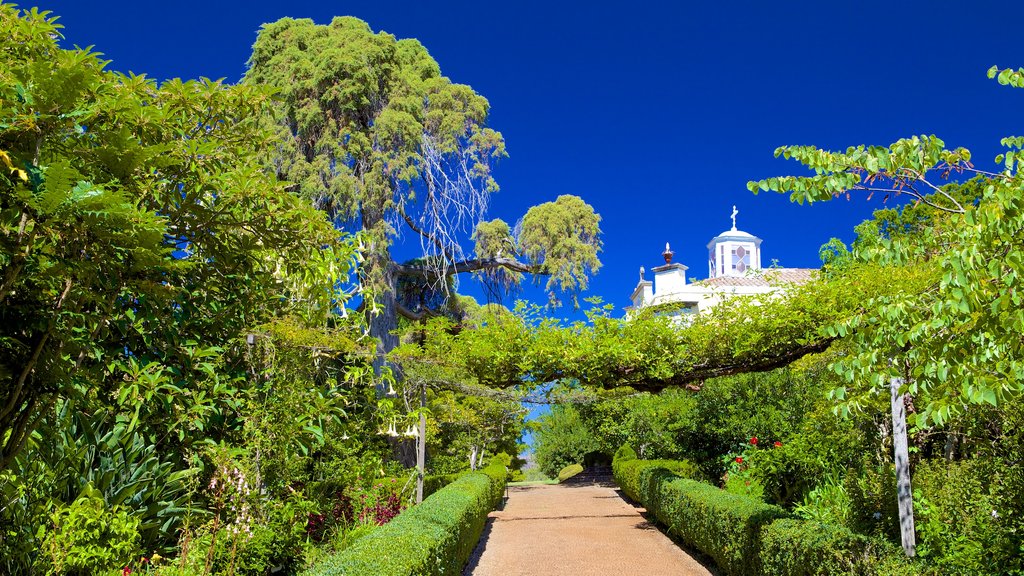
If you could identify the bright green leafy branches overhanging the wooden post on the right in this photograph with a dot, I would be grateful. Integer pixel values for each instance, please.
(953, 341)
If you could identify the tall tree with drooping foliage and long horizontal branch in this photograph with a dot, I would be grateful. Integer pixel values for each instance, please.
(373, 133)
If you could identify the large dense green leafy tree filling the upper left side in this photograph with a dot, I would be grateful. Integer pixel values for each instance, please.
(144, 225)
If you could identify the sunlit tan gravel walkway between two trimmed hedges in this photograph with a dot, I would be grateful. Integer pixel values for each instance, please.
(576, 530)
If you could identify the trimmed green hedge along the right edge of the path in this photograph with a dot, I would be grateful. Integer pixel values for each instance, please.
(745, 537)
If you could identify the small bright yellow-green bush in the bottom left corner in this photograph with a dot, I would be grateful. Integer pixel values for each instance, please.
(89, 538)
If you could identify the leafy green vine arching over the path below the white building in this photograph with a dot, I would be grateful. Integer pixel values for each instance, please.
(652, 354)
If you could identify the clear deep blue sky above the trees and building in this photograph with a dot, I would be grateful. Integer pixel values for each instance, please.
(656, 113)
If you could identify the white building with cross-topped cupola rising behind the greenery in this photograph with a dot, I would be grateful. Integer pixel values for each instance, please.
(734, 269)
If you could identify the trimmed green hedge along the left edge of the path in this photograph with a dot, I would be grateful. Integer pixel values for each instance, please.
(434, 539)
